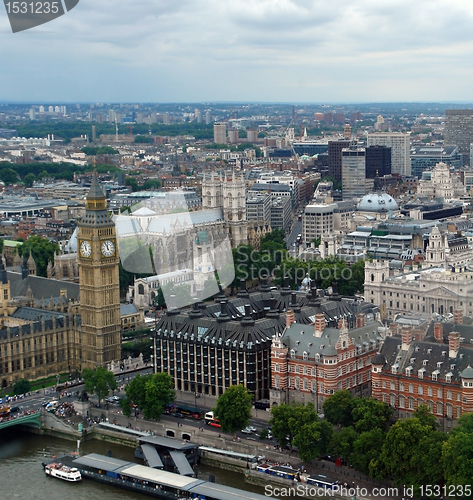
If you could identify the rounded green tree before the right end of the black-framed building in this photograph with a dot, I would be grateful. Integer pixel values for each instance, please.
(233, 409)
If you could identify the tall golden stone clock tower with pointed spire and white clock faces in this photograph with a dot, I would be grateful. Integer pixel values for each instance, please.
(99, 283)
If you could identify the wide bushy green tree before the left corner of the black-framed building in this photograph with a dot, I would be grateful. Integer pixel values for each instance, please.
(152, 394)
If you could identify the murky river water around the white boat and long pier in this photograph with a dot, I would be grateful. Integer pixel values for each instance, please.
(22, 475)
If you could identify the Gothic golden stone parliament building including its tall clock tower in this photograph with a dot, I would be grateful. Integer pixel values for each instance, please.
(49, 327)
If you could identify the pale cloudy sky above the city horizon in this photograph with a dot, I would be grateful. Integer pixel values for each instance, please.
(243, 50)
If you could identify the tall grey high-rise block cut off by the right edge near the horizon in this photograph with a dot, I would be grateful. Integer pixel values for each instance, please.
(459, 131)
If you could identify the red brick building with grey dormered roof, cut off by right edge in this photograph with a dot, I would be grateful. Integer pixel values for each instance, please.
(435, 371)
